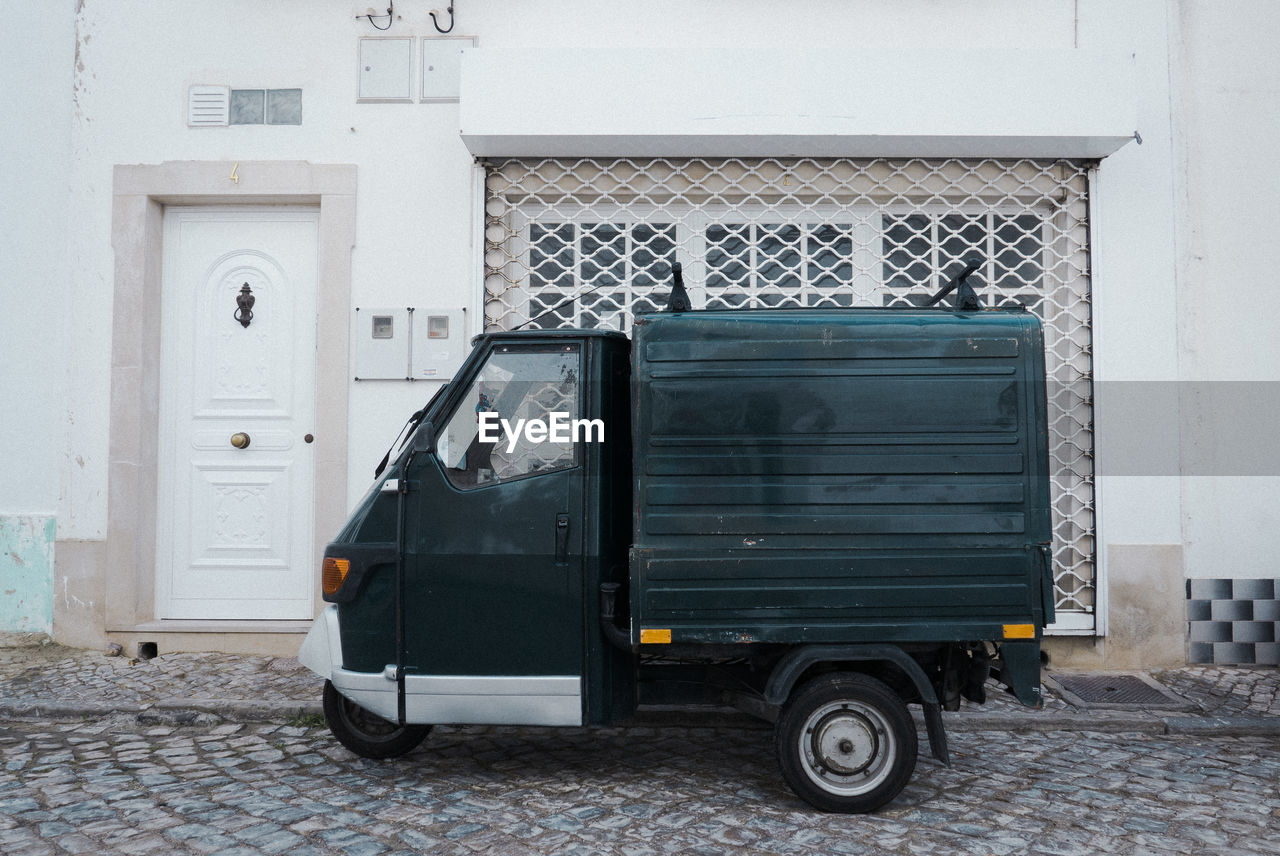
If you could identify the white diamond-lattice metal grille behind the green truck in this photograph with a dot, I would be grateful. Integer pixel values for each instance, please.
(811, 234)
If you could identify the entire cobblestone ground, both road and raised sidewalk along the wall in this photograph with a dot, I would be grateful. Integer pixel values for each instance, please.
(225, 754)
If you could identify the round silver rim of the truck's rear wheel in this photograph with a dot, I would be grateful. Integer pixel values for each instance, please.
(848, 748)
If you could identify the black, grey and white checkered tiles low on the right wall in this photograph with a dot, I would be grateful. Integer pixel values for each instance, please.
(1233, 621)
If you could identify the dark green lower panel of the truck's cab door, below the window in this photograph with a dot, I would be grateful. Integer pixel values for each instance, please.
(484, 593)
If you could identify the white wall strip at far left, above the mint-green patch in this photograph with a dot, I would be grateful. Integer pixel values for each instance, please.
(36, 61)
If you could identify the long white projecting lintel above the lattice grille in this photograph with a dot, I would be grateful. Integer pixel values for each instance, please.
(772, 103)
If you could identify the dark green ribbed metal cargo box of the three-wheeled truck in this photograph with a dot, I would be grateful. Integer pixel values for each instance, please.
(836, 475)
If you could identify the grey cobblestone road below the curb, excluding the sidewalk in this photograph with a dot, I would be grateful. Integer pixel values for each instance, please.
(115, 788)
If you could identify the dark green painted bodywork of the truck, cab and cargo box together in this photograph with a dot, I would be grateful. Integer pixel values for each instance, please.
(792, 478)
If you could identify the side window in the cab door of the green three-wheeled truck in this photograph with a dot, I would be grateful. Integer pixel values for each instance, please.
(515, 419)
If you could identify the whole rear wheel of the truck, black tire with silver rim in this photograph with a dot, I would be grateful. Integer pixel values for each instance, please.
(845, 743)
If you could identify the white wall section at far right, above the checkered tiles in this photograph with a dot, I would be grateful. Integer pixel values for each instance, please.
(1227, 76)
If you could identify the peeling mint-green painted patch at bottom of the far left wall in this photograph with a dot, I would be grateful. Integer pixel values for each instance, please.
(28, 574)
